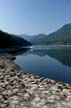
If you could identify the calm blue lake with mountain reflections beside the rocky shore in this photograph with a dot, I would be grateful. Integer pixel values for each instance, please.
(53, 62)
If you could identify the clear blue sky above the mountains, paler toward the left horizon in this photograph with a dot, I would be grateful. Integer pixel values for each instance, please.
(34, 16)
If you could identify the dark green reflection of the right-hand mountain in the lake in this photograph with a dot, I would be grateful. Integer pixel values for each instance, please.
(63, 56)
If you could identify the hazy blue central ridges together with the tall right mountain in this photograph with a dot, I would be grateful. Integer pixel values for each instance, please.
(61, 36)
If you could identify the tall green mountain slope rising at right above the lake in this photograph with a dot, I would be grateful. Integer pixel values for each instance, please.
(61, 35)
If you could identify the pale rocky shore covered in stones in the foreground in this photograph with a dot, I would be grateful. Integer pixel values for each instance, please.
(21, 90)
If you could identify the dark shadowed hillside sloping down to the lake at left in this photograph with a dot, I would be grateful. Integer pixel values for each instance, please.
(9, 41)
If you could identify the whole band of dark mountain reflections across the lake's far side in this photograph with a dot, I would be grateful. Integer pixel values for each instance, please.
(62, 55)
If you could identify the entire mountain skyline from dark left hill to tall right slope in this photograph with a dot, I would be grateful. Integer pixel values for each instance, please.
(59, 37)
